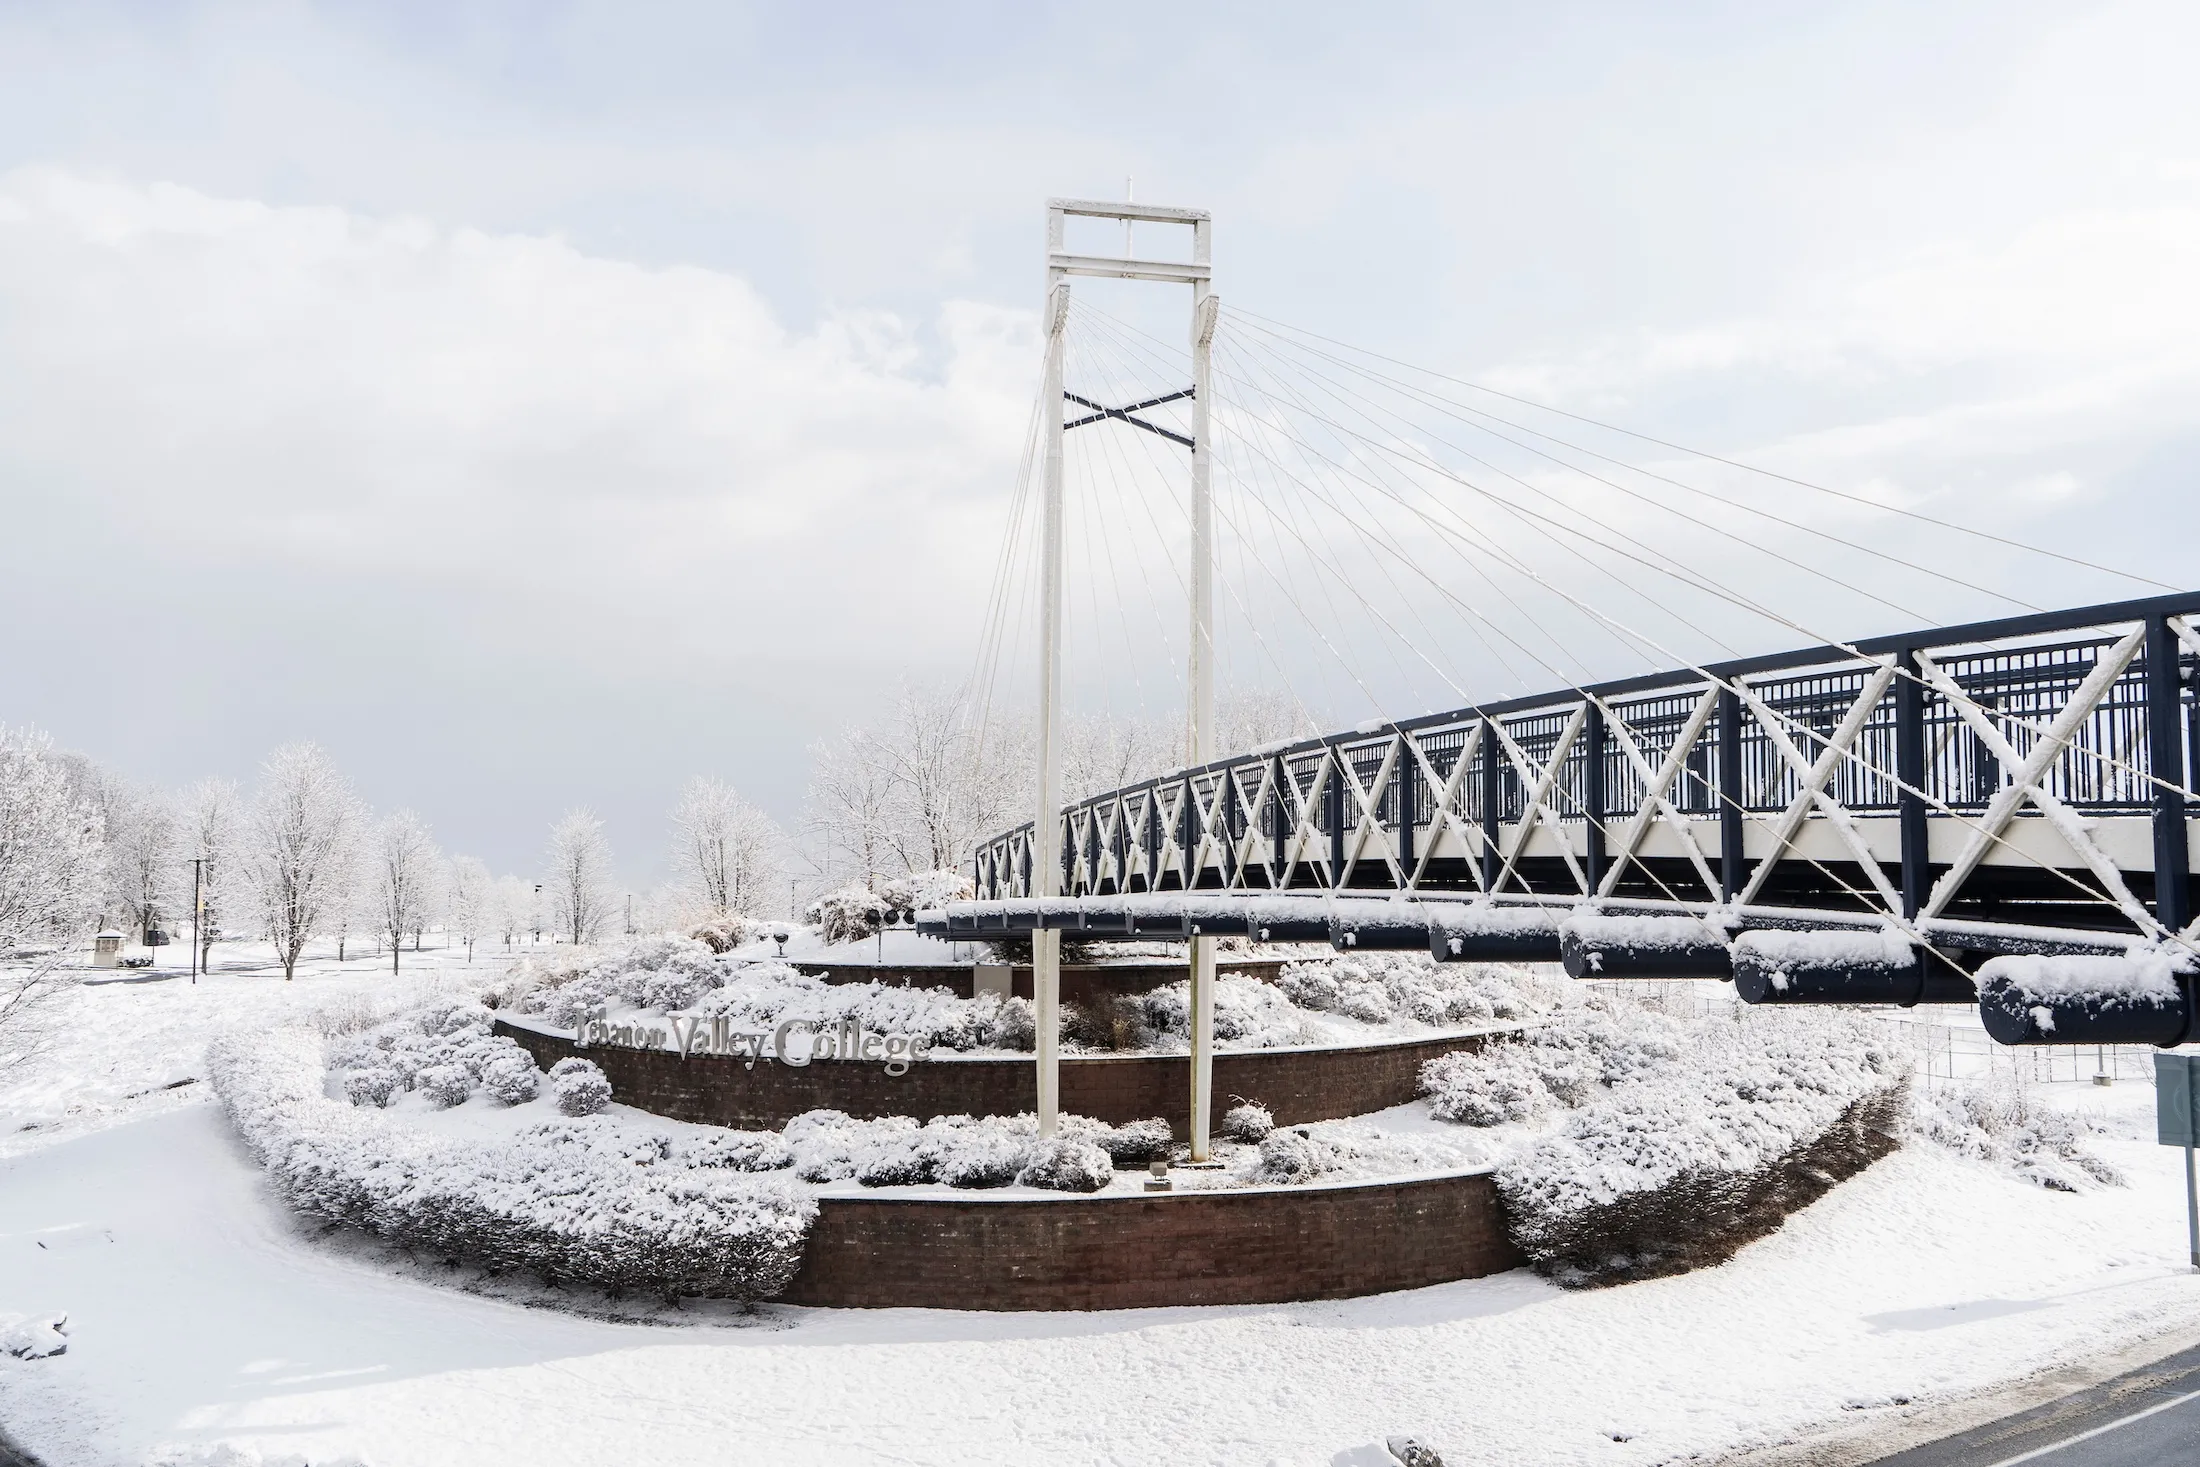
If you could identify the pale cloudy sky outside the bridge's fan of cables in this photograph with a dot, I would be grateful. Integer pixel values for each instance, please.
(542, 404)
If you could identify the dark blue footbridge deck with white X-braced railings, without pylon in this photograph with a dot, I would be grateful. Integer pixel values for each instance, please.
(1867, 821)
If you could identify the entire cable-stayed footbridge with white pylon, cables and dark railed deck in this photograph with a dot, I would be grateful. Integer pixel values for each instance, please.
(1974, 810)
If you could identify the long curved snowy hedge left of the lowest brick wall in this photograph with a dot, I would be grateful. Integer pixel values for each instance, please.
(582, 1200)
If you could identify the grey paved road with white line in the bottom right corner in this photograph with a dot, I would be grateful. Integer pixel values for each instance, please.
(2144, 1420)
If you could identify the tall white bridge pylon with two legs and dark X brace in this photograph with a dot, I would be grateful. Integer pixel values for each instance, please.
(1200, 672)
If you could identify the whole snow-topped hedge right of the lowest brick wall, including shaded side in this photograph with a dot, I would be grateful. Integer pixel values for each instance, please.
(1688, 1160)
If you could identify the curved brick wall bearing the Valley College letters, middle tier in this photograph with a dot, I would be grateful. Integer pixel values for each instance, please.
(1297, 1085)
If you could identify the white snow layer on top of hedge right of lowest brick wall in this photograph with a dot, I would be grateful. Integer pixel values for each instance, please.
(1735, 1099)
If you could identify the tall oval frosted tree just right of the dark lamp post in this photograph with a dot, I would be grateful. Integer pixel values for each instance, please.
(294, 848)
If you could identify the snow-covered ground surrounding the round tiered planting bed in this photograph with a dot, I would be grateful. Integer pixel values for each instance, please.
(206, 1327)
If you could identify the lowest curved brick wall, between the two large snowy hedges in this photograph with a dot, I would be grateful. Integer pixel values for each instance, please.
(1145, 1253)
